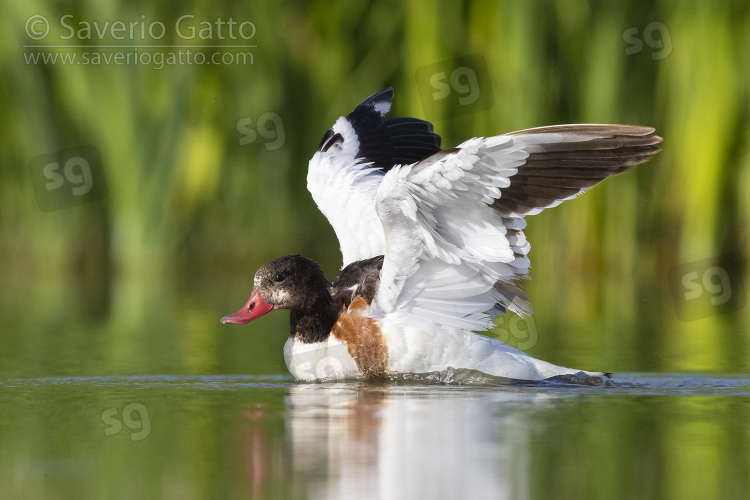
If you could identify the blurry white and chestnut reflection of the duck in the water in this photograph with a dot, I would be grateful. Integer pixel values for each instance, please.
(389, 441)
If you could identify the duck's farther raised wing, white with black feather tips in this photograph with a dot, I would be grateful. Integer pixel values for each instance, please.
(354, 155)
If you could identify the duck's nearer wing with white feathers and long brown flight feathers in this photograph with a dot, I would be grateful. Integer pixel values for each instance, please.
(454, 222)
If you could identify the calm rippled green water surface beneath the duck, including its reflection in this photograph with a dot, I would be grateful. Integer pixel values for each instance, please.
(643, 436)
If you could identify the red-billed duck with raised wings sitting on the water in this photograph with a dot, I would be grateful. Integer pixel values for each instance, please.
(432, 243)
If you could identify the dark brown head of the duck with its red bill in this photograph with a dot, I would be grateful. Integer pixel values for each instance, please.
(291, 282)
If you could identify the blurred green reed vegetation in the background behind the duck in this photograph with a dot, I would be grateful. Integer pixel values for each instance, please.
(136, 283)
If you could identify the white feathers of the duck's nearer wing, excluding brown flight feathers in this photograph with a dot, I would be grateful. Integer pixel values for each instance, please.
(445, 246)
